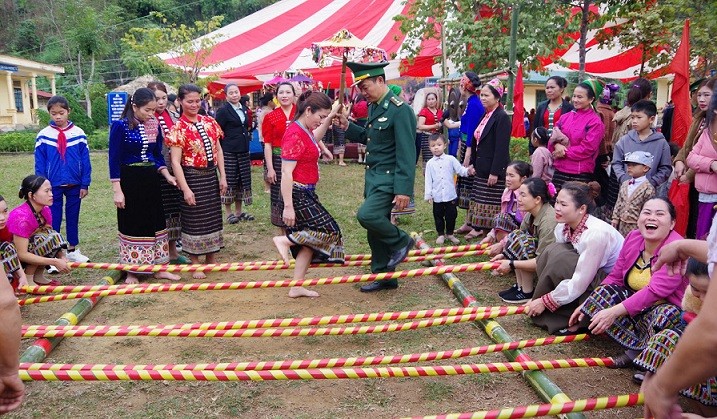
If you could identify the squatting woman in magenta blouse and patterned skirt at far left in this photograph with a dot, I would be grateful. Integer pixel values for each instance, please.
(37, 244)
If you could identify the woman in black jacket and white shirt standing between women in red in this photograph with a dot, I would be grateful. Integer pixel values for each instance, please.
(235, 120)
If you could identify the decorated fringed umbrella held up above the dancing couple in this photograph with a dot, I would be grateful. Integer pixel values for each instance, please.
(342, 46)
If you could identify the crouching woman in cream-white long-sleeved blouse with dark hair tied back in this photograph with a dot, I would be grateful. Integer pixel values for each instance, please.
(585, 251)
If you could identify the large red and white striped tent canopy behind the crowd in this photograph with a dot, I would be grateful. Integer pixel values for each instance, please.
(278, 38)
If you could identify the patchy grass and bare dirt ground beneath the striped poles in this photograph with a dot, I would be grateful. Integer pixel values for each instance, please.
(341, 192)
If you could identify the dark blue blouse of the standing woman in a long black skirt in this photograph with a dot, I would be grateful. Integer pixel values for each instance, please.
(143, 144)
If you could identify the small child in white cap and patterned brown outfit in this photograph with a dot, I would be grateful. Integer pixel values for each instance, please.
(633, 192)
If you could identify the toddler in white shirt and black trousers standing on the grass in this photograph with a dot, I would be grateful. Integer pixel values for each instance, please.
(440, 188)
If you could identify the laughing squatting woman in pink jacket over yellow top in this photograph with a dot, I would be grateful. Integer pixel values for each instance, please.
(634, 301)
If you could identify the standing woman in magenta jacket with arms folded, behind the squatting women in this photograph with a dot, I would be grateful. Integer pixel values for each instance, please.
(576, 138)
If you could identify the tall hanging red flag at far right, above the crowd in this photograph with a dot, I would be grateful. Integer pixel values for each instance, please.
(682, 115)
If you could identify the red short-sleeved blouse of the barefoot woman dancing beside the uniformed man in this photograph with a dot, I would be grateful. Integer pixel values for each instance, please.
(299, 145)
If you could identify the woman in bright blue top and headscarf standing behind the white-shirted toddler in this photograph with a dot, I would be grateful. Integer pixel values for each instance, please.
(474, 111)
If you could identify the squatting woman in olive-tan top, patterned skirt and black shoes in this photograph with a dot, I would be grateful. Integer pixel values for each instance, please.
(519, 251)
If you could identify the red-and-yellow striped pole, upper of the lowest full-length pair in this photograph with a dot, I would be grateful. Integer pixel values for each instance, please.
(320, 363)
